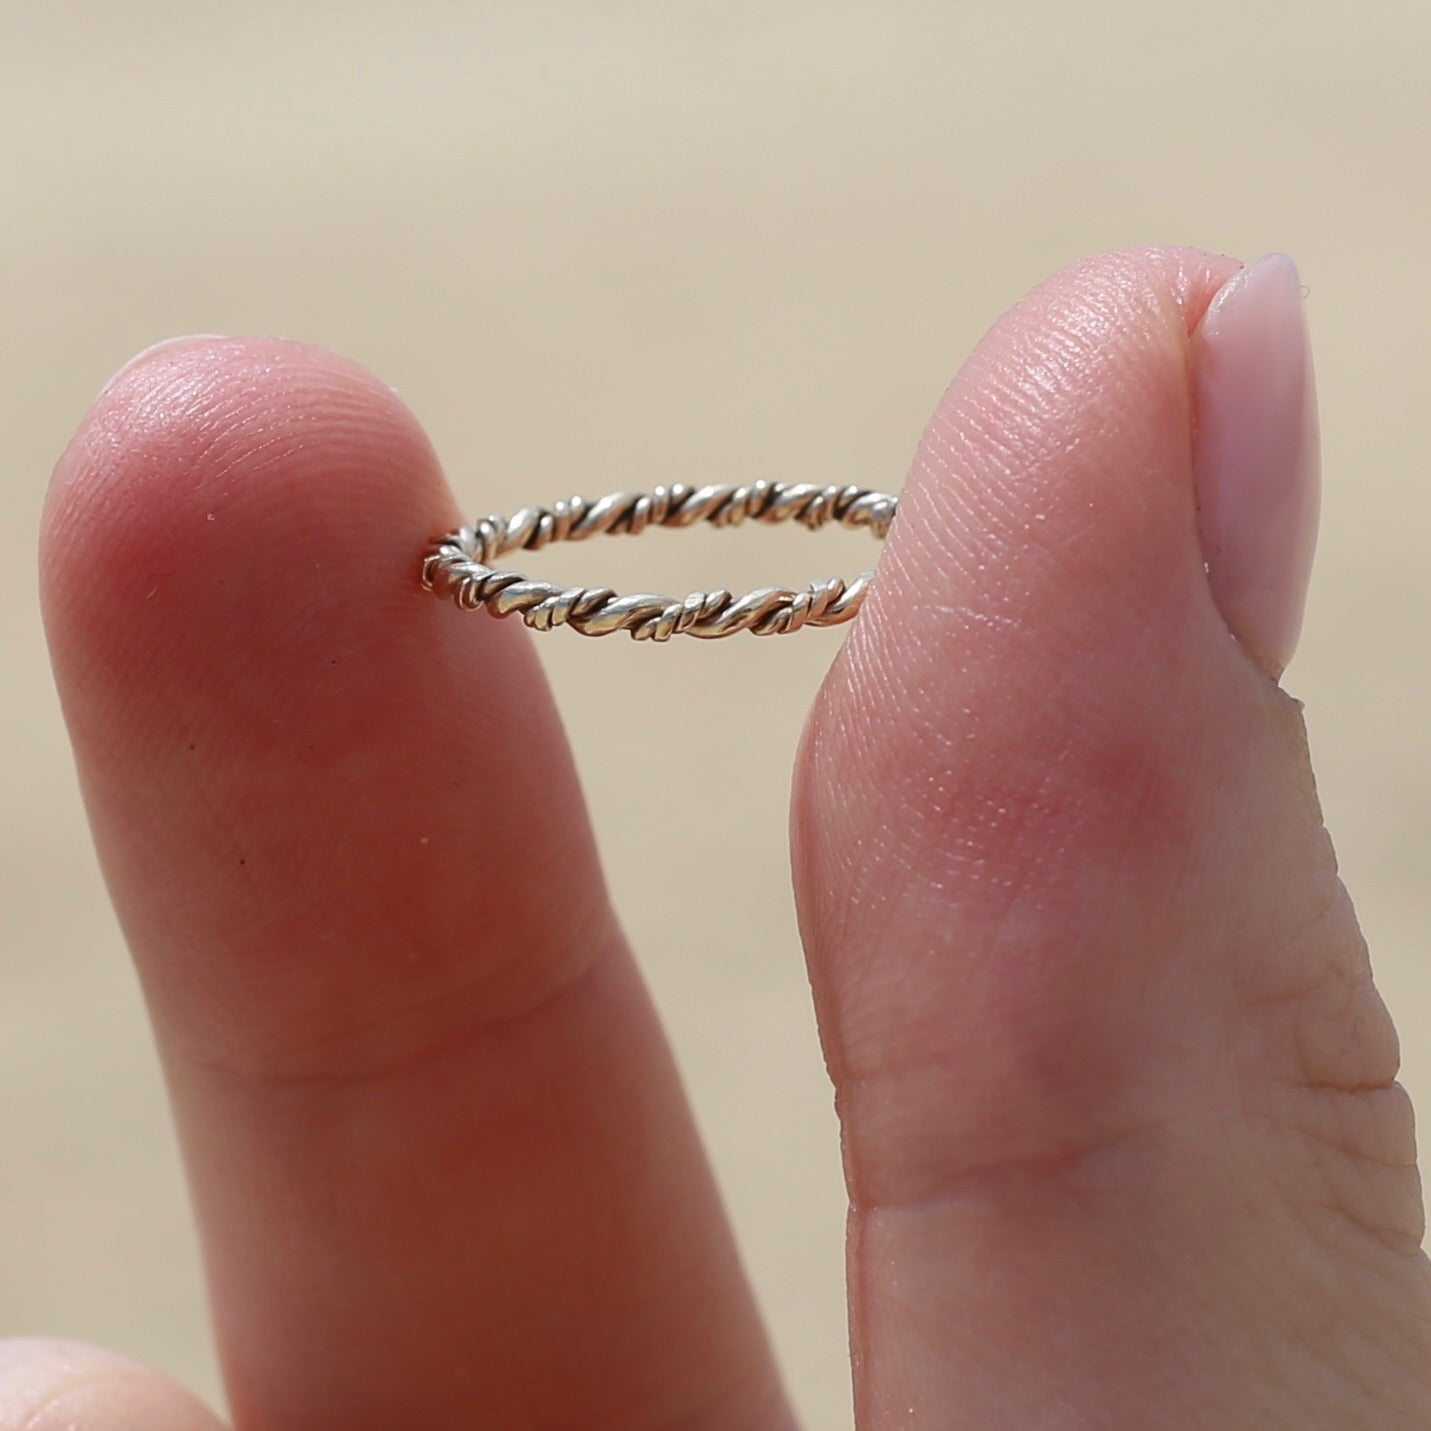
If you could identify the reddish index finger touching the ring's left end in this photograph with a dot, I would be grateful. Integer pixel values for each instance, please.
(441, 1160)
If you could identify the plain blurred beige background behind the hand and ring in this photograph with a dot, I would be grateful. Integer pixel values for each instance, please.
(602, 245)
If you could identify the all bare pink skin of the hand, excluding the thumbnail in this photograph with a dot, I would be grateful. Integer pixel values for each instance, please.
(1123, 1138)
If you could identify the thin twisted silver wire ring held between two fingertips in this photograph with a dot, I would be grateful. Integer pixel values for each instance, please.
(460, 565)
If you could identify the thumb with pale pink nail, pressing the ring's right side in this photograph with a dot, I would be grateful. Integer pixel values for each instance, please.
(1115, 1085)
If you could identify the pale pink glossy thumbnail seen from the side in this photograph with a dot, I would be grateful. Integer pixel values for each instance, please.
(1257, 459)
